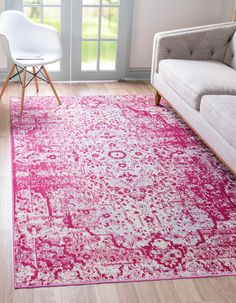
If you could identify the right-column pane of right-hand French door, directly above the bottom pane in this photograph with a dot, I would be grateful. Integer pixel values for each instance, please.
(109, 23)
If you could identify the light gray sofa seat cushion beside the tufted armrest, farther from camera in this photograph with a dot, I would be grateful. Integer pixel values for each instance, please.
(192, 79)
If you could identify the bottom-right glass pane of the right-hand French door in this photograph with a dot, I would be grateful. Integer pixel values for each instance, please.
(108, 55)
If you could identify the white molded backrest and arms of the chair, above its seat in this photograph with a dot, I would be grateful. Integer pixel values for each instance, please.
(25, 36)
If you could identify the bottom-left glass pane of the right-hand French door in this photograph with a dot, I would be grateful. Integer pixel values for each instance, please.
(89, 55)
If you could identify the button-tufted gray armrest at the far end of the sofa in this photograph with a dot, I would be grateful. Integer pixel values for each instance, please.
(207, 42)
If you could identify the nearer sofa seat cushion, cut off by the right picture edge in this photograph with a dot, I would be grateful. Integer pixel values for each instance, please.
(220, 112)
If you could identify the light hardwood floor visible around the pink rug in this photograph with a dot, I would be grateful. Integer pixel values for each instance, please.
(220, 290)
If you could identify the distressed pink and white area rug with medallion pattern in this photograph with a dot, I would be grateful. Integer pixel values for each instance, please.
(114, 189)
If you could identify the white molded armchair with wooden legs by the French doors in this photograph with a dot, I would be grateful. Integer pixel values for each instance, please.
(28, 45)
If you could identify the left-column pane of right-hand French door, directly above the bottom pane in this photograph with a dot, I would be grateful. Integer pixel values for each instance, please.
(90, 22)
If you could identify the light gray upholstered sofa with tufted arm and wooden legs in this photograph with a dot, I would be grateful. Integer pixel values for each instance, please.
(194, 69)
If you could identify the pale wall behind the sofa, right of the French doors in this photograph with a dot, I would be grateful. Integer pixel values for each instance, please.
(151, 16)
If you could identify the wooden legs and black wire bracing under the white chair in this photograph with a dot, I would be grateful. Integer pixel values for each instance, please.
(37, 73)
